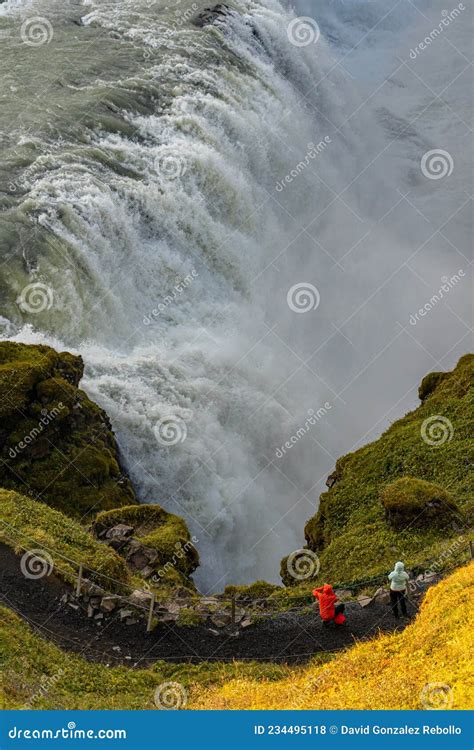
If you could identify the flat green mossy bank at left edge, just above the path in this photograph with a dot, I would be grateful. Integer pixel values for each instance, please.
(26, 525)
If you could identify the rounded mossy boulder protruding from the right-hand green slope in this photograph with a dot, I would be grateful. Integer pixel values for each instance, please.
(417, 502)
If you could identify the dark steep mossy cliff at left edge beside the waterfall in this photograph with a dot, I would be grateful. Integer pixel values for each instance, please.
(56, 445)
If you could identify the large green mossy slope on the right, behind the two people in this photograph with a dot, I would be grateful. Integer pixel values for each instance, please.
(406, 496)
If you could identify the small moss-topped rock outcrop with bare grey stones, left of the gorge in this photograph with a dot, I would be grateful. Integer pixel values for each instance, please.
(154, 542)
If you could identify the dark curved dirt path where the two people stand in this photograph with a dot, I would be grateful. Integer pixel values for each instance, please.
(286, 637)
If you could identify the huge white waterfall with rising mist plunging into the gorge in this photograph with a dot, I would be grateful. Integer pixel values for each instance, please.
(170, 244)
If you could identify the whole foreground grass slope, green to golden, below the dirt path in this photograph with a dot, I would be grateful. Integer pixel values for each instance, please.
(388, 672)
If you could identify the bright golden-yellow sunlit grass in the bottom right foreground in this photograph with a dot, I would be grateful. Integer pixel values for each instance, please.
(429, 665)
